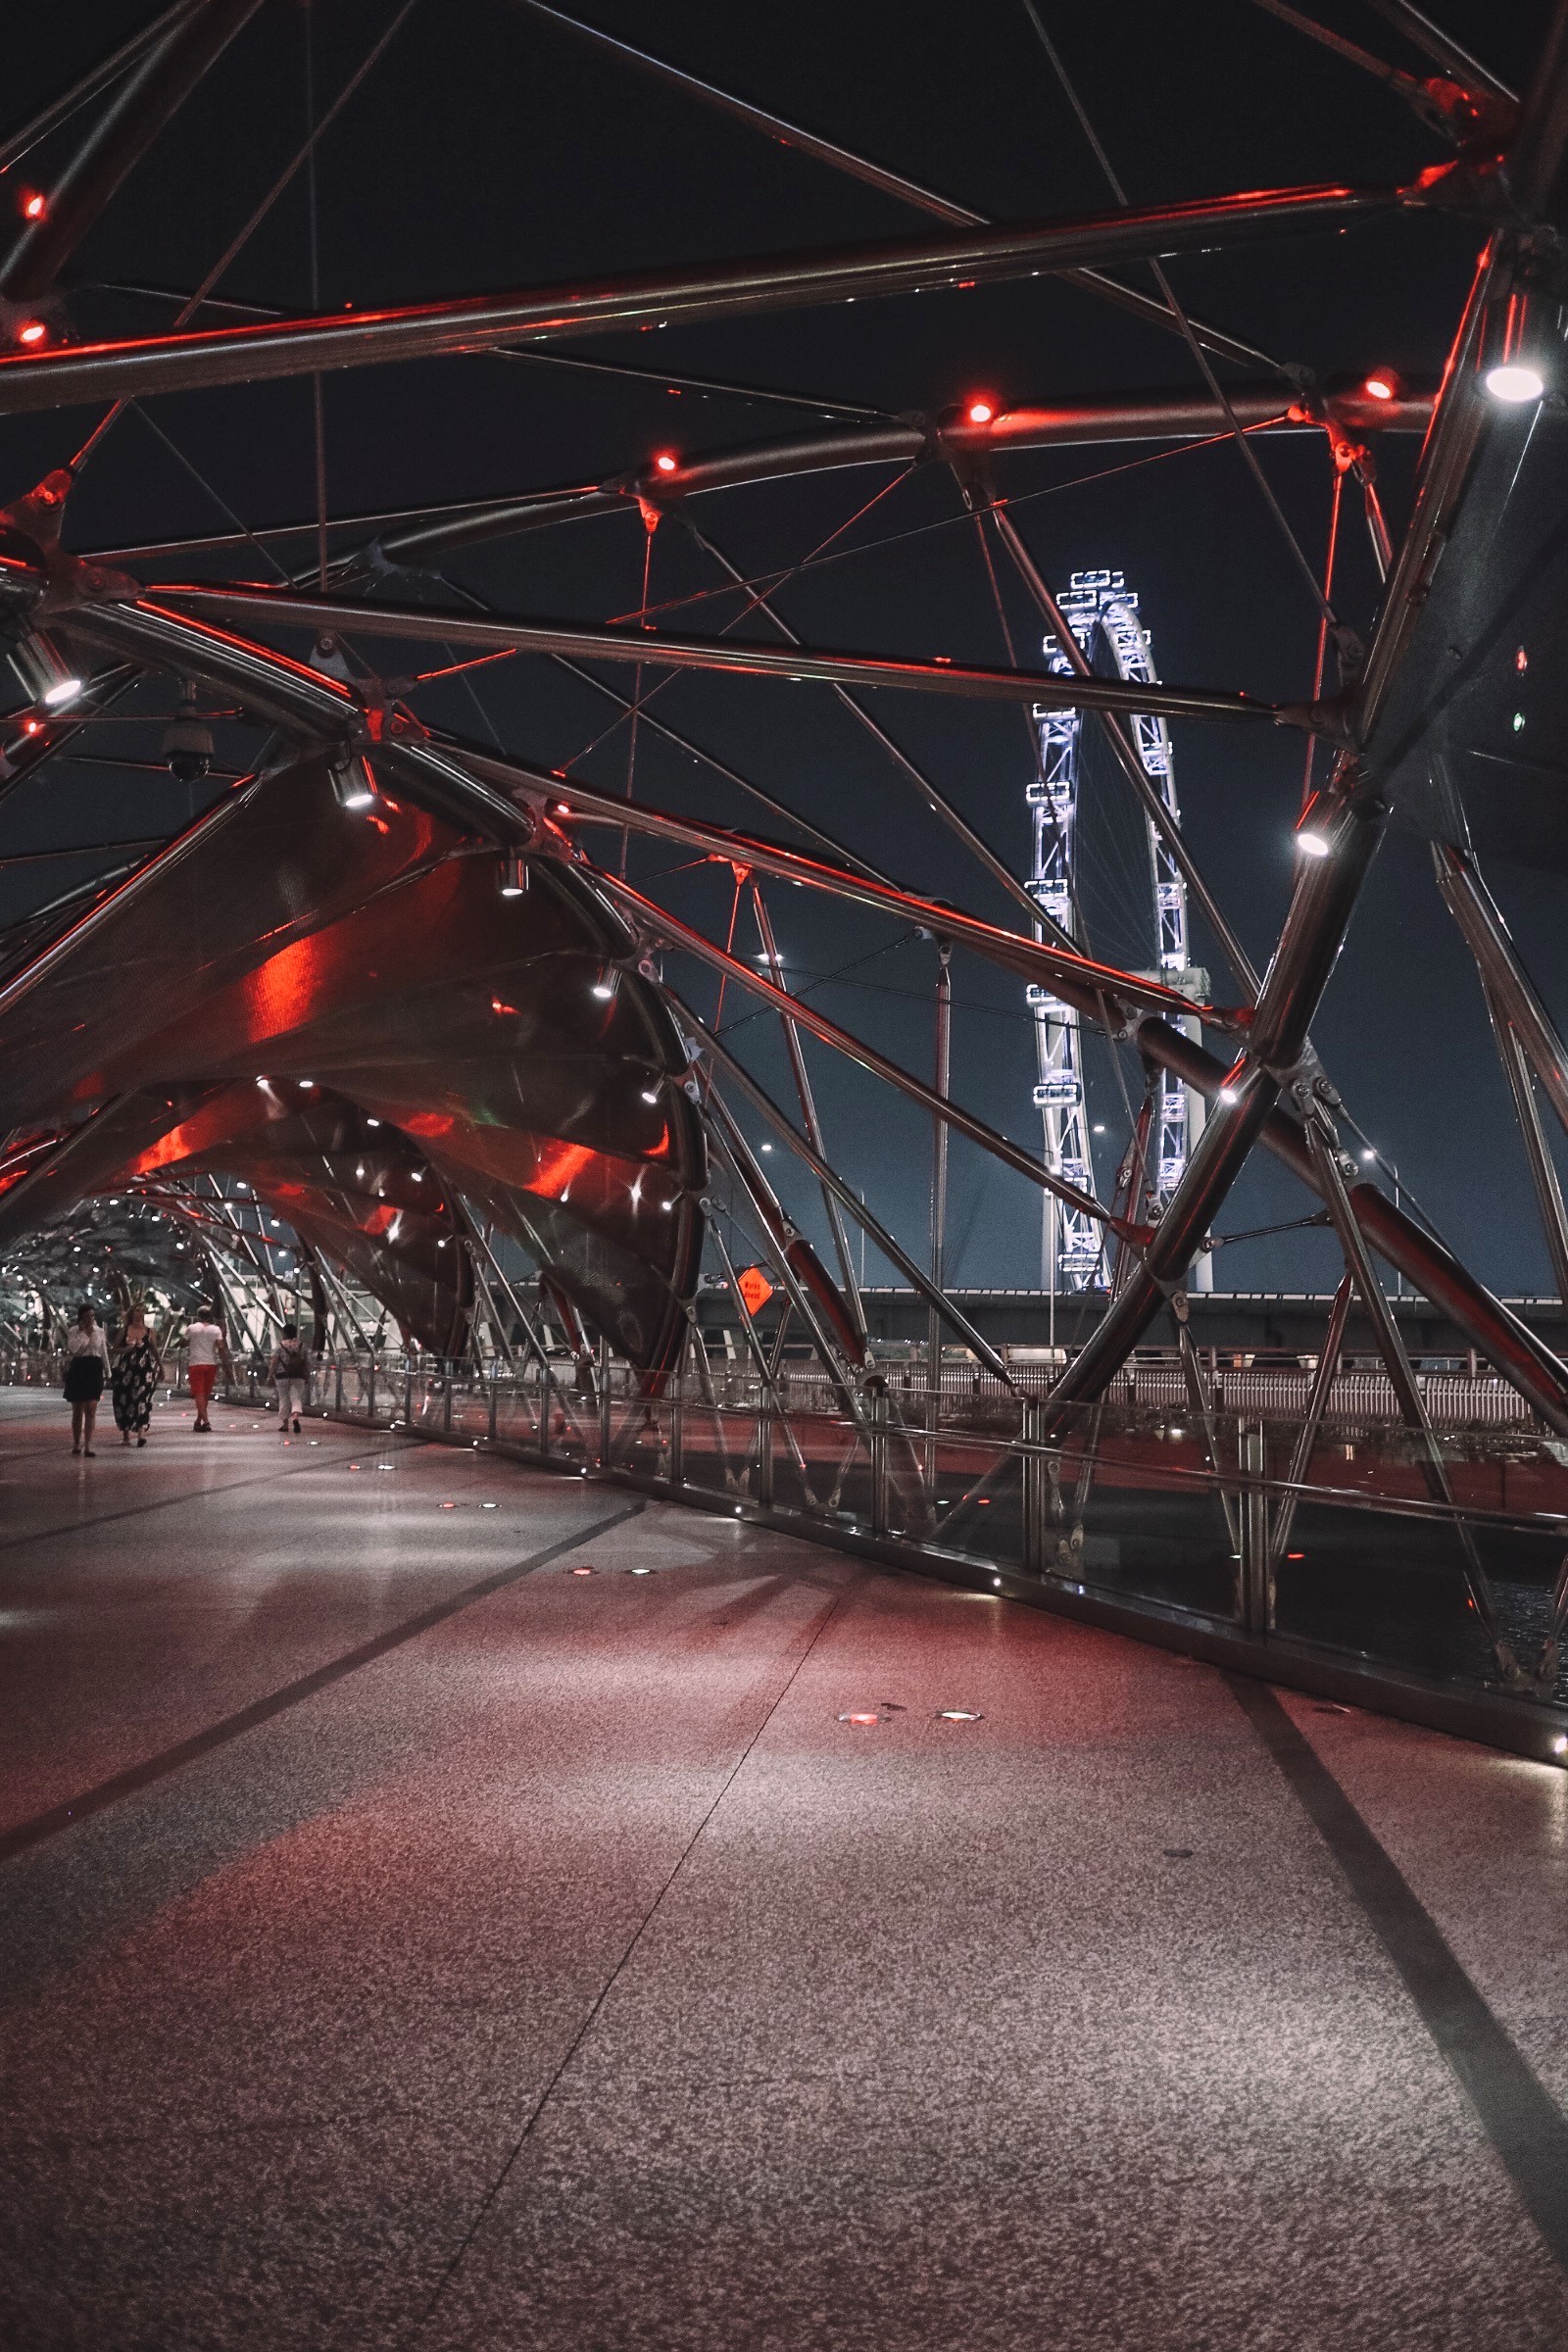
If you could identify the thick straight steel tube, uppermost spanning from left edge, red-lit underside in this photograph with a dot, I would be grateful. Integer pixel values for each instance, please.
(307, 347)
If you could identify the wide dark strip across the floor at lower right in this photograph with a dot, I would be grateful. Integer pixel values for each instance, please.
(1508, 2097)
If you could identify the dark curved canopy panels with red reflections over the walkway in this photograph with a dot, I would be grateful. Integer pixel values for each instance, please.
(349, 1017)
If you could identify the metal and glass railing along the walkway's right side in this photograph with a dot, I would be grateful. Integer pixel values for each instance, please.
(1146, 1516)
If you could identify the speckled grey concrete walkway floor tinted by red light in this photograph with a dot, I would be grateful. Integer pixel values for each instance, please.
(570, 1975)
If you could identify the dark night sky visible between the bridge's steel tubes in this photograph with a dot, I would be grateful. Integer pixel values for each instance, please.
(488, 149)
